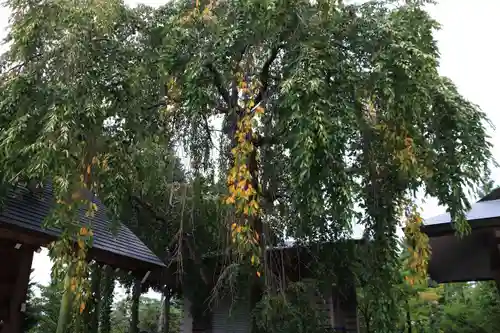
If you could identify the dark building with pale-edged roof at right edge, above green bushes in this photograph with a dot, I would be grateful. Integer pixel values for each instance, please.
(474, 257)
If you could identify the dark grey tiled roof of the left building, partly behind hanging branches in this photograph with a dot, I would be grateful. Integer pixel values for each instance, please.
(27, 210)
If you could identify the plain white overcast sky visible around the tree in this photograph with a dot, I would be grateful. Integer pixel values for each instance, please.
(468, 57)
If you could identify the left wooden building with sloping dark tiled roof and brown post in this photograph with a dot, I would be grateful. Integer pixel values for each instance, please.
(22, 233)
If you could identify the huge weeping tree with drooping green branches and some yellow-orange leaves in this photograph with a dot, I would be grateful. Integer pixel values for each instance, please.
(294, 112)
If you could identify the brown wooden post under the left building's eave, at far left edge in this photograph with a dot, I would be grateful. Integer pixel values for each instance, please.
(16, 307)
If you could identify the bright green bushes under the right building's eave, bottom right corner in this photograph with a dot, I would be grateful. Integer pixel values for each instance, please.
(451, 307)
